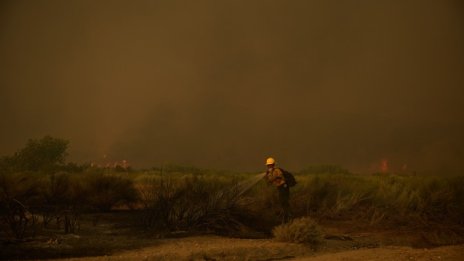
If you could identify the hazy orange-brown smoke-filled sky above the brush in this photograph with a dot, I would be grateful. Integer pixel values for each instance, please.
(225, 84)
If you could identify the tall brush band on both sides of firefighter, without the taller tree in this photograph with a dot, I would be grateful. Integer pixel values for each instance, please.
(178, 198)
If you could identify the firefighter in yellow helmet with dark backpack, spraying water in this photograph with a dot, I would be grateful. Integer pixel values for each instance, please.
(275, 176)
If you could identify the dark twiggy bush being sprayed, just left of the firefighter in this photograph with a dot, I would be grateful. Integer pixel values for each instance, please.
(190, 203)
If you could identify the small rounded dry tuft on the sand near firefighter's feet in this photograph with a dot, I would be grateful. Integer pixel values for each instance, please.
(301, 230)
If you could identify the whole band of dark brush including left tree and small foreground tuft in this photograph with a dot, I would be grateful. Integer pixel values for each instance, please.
(43, 195)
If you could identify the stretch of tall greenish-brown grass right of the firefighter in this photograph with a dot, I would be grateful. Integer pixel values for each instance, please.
(389, 199)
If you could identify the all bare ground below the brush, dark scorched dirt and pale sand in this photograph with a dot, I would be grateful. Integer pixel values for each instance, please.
(108, 237)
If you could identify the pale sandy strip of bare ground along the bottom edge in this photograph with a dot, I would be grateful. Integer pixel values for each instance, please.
(220, 248)
